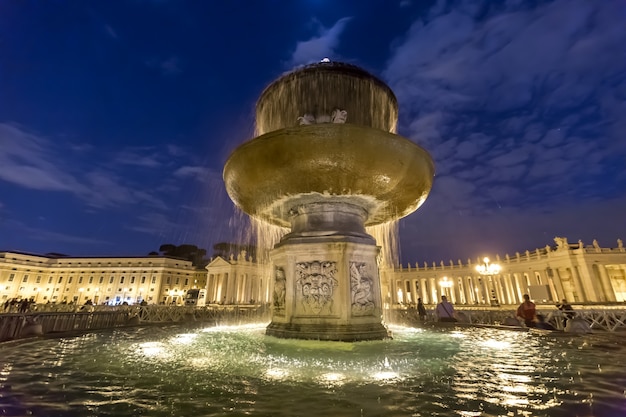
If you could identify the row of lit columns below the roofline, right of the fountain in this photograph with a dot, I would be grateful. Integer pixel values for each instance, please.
(580, 283)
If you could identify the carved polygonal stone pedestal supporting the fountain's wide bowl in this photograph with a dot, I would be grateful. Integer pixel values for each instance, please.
(326, 283)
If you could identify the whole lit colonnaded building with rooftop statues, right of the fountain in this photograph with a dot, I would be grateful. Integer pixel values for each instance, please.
(580, 273)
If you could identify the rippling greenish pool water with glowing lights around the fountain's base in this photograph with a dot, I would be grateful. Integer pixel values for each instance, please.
(193, 371)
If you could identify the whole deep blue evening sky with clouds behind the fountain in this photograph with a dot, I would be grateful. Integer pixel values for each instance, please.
(116, 118)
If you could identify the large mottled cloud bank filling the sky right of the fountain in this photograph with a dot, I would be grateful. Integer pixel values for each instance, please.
(523, 97)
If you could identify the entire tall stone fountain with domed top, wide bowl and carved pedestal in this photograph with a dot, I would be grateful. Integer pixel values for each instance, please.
(327, 163)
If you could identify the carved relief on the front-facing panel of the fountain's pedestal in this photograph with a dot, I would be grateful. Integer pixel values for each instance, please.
(315, 287)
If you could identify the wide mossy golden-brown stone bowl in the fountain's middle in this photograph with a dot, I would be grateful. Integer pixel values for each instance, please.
(270, 176)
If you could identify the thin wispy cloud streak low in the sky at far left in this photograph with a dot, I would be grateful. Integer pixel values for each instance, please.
(38, 163)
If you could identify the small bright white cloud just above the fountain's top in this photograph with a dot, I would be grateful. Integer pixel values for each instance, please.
(321, 46)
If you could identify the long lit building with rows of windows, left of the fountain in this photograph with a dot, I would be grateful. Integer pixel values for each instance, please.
(62, 279)
